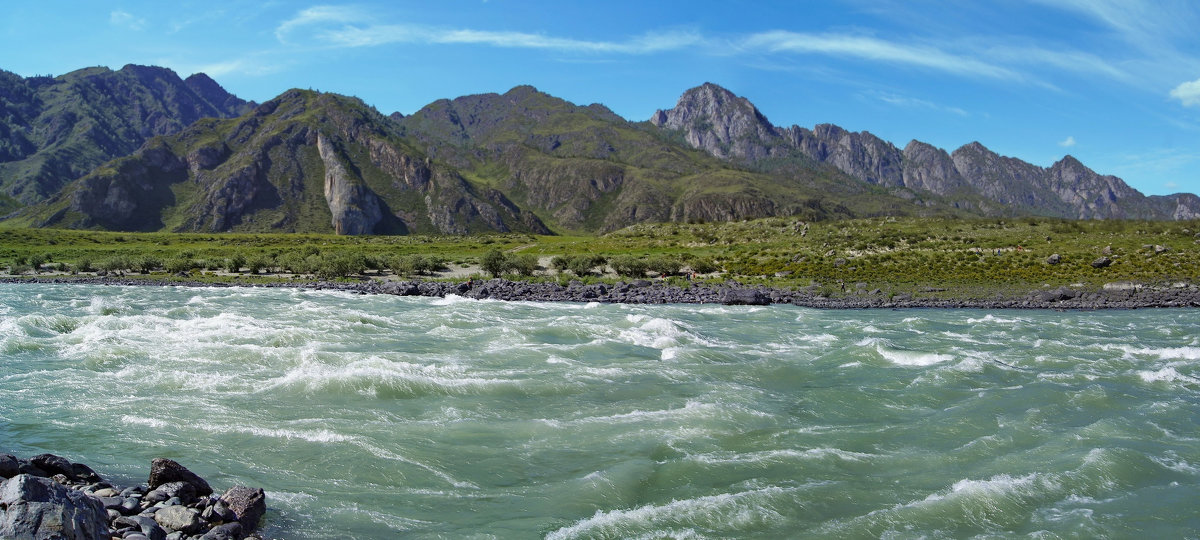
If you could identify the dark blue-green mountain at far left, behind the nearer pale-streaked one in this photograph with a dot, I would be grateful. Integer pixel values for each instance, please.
(55, 130)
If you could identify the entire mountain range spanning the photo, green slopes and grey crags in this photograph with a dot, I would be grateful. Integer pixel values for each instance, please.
(141, 149)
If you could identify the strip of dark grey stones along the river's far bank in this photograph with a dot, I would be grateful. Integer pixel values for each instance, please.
(1114, 297)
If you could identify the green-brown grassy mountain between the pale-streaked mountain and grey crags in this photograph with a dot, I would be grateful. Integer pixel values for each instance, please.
(586, 170)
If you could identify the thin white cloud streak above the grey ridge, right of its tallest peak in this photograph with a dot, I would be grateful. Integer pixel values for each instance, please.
(872, 49)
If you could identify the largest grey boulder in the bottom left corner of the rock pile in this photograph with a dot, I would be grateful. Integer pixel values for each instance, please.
(39, 509)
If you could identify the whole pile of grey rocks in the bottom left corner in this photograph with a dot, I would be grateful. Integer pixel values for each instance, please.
(50, 499)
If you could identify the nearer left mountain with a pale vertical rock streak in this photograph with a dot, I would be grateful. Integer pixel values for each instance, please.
(302, 163)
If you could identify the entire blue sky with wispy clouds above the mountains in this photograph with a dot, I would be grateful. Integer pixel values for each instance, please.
(1114, 83)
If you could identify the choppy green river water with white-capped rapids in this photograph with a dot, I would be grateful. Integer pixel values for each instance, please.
(379, 417)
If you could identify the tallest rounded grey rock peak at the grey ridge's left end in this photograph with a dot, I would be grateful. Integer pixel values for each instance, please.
(721, 123)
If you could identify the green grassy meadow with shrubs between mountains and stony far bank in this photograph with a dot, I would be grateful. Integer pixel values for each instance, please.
(916, 256)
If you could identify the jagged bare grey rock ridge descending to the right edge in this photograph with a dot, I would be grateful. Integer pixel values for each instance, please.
(974, 178)
